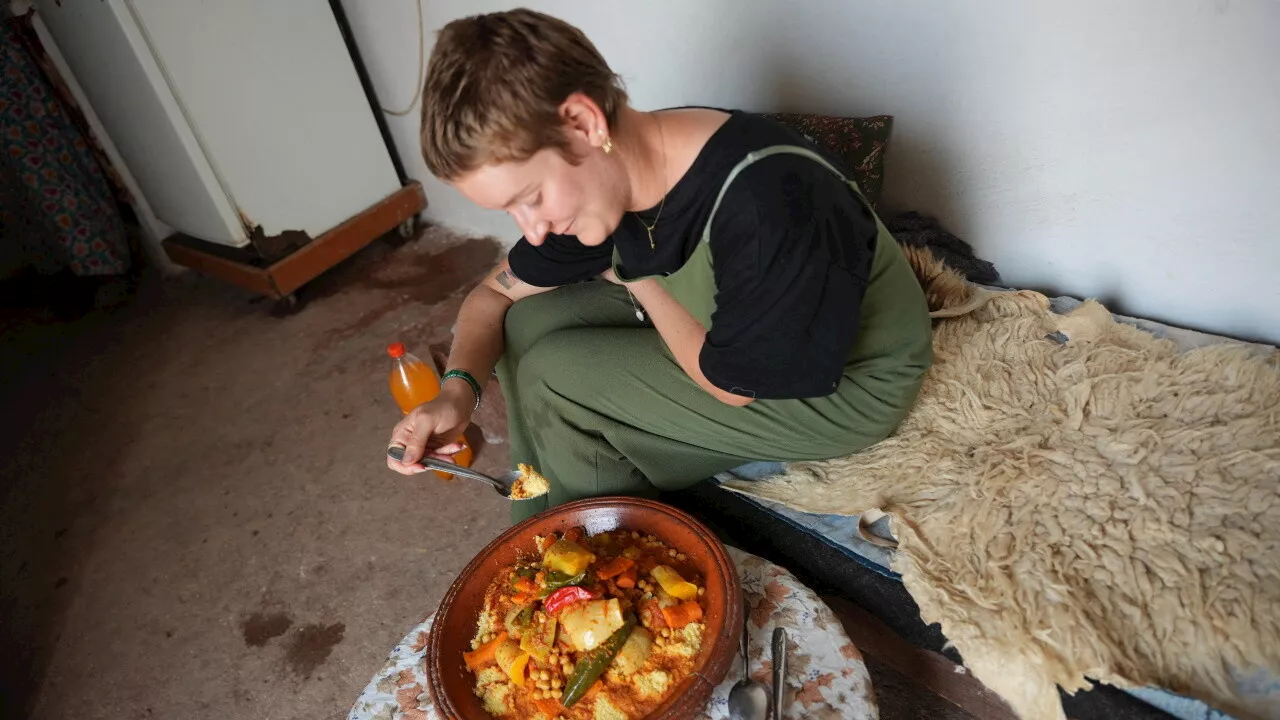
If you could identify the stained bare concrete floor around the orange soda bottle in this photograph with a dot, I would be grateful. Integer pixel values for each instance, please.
(196, 517)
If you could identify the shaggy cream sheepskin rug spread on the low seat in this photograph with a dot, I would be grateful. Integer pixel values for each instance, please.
(1077, 500)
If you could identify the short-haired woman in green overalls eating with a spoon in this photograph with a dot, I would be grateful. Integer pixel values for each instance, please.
(694, 290)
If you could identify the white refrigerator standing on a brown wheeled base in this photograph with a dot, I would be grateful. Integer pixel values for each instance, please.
(243, 122)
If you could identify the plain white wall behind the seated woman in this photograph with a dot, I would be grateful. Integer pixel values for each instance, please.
(1127, 151)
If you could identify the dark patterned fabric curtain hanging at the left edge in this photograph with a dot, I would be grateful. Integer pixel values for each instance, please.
(58, 209)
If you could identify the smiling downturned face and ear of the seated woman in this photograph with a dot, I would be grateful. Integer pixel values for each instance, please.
(547, 194)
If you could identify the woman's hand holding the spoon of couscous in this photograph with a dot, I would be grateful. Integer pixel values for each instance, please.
(433, 429)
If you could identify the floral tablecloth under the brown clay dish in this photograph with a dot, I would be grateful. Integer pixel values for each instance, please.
(826, 676)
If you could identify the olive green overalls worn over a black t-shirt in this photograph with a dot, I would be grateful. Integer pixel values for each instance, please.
(598, 404)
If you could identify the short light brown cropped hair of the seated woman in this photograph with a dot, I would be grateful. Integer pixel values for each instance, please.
(495, 86)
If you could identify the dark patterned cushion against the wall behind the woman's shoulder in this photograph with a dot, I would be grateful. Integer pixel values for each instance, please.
(861, 143)
